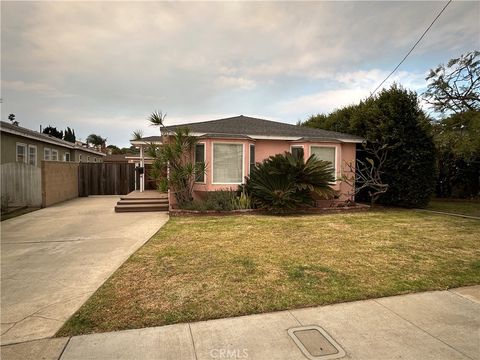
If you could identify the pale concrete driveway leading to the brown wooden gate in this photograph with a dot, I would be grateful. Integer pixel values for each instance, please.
(53, 259)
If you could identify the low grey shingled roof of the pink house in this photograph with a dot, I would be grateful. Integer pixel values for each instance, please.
(245, 126)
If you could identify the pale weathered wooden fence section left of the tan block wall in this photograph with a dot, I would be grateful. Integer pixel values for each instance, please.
(21, 184)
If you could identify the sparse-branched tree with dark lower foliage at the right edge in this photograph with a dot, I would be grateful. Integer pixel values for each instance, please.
(453, 90)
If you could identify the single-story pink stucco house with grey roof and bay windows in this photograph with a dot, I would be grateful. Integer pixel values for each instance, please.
(231, 146)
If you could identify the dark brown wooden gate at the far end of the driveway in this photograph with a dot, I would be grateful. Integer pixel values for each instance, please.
(105, 179)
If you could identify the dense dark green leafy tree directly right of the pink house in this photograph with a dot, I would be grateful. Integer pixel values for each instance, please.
(392, 118)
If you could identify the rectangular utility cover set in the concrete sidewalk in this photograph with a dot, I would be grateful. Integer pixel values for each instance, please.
(315, 343)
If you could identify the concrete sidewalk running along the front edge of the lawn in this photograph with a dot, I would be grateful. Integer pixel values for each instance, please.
(431, 325)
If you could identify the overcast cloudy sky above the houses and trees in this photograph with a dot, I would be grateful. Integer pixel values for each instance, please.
(103, 67)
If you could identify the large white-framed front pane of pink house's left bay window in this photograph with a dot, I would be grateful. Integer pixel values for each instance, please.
(227, 163)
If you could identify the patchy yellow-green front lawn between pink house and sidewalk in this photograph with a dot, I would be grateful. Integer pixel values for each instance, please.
(198, 268)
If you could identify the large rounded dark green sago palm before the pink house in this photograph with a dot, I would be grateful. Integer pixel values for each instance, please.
(285, 182)
